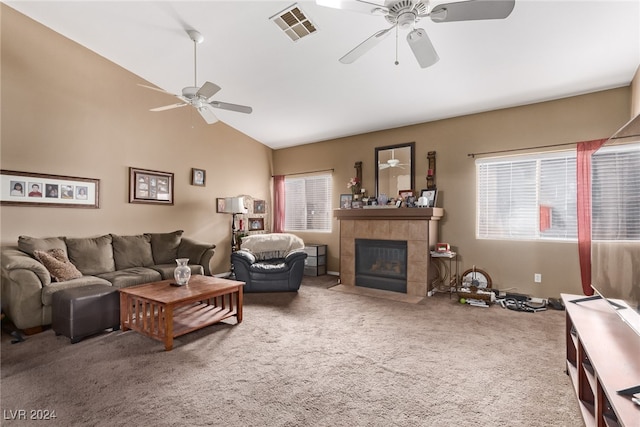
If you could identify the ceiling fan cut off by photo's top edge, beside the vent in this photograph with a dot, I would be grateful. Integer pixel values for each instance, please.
(405, 14)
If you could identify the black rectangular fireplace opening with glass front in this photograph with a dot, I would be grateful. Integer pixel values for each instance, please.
(382, 264)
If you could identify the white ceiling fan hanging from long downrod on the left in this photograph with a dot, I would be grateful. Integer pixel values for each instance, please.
(200, 97)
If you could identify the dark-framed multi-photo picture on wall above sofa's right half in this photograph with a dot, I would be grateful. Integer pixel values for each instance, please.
(149, 186)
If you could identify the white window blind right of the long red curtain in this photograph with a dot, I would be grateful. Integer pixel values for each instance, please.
(615, 193)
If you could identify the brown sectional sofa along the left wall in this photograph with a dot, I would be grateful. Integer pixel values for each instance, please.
(119, 261)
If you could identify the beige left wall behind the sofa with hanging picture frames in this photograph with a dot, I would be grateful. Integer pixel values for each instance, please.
(68, 111)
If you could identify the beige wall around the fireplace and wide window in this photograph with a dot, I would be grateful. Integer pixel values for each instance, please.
(510, 264)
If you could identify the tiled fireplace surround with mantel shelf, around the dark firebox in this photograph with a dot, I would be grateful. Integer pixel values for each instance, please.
(417, 226)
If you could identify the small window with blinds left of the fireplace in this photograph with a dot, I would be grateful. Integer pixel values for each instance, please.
(308, 203)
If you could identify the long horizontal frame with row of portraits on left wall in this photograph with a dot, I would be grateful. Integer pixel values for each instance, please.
(37, 189)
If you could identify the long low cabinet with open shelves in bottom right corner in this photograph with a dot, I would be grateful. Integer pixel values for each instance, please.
(603, 357)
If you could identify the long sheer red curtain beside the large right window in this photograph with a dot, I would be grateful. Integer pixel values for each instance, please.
(583, 166)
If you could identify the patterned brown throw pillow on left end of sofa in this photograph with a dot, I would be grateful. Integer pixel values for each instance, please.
(92, 255)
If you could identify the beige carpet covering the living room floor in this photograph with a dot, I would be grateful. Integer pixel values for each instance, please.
(313, 358)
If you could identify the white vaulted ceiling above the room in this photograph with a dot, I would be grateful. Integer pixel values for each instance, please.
(301, 94)
